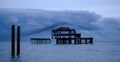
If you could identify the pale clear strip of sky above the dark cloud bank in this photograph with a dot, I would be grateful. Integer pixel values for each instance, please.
(107, 8)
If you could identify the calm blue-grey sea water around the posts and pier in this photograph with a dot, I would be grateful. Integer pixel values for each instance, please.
(98, 52)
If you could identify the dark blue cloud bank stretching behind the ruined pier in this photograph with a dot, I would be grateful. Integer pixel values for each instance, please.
(33, 22)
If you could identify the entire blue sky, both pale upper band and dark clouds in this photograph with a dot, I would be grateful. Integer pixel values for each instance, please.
(99, 17)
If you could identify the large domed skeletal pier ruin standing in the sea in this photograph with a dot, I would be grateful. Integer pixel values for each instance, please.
(65, 35)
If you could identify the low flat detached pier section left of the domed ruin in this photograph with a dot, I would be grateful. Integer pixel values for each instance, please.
(40, 40)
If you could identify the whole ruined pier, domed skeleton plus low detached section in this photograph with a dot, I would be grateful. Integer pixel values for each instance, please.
(64, 35)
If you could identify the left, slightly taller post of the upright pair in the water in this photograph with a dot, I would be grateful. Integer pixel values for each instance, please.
(13, 41)
